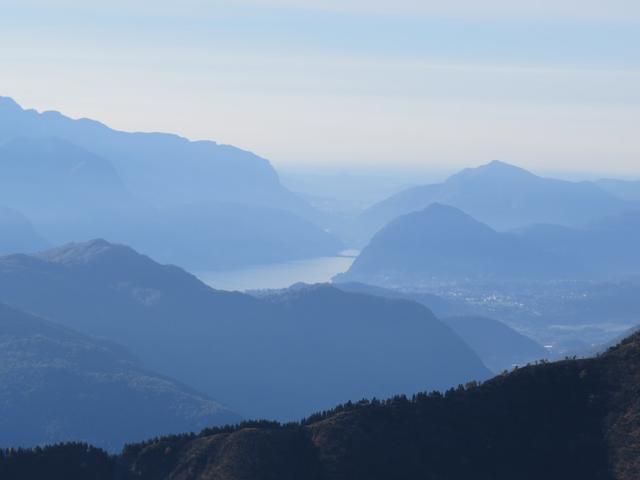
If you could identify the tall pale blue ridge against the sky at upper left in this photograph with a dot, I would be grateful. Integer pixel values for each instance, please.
(163, 169)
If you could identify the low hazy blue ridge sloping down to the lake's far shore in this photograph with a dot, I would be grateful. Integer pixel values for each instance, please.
(225, 236)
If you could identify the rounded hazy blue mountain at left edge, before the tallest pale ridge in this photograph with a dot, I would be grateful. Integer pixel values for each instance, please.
(66, 191)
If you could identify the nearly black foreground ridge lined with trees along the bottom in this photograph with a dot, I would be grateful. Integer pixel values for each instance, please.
(564, 420)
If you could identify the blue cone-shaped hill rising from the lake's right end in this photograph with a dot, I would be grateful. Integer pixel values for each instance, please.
(442, 243)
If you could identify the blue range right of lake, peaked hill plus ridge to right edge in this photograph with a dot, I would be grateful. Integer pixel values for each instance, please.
(442, 243)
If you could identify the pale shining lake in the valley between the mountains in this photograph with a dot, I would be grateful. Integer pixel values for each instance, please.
(279, 275)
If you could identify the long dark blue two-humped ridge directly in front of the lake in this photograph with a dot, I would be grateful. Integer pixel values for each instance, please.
(276, 357)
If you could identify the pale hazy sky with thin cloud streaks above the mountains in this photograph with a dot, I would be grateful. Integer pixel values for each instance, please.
(547, 84)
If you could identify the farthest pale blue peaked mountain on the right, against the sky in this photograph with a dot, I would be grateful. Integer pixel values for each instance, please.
(501, 195)
